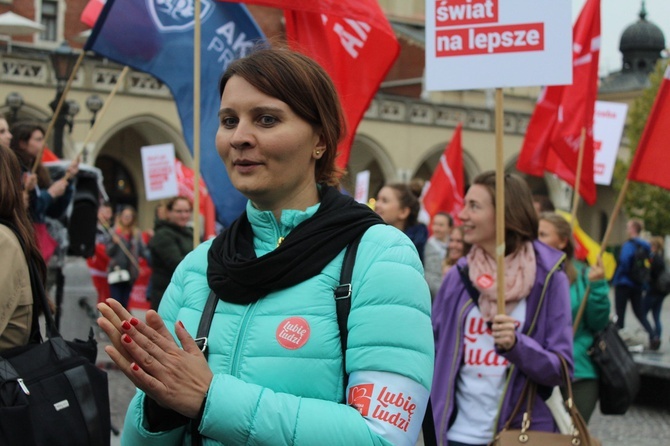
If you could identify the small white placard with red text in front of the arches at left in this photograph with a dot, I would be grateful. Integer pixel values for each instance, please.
(160, 178)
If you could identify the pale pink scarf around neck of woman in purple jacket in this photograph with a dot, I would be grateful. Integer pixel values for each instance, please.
(520, 271)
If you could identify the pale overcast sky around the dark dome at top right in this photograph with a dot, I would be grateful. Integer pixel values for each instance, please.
(616, 16)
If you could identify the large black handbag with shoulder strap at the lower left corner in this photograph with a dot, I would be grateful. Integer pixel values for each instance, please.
(51, 392)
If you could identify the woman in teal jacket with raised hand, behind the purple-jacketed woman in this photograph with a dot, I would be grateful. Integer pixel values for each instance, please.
(556, 232)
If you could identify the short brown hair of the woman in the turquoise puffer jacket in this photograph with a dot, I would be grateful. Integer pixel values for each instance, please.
(305, 86)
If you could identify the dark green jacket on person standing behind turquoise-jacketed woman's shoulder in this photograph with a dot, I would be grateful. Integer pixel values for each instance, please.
(168, 247)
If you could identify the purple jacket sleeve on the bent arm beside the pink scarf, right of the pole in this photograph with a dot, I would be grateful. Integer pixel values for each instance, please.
(537, 358)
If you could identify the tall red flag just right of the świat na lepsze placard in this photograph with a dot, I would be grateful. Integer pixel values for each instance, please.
(553, 136)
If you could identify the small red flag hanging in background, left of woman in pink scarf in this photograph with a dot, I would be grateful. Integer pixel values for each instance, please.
(445, 193)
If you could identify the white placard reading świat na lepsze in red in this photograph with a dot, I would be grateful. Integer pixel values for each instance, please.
(497, 43)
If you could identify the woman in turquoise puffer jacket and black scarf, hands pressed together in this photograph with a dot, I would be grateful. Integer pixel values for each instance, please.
(275, 372)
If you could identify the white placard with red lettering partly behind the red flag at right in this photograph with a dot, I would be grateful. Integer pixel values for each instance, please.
(608, 122)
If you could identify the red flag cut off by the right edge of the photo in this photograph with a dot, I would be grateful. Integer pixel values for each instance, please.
(652, 156)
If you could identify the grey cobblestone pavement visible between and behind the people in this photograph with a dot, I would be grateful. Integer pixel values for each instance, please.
(643, 425)
